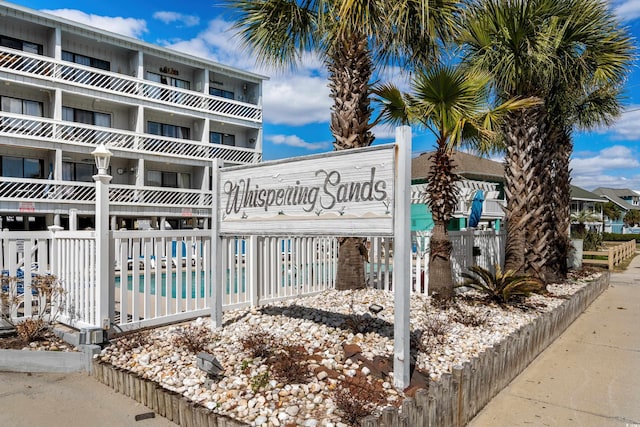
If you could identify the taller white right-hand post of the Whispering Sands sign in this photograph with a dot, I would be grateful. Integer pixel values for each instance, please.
(402, 259)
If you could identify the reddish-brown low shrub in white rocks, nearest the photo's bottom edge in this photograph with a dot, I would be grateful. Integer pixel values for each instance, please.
(357, 398)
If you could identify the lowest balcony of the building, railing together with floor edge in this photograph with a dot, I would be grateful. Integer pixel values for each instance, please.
(52, 196)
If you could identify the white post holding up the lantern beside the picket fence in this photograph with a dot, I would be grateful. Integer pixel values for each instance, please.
(102, 251)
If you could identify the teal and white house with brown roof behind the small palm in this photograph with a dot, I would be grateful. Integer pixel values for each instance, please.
(478, 174)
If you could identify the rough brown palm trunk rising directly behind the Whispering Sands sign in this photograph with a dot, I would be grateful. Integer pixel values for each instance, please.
(350, 68)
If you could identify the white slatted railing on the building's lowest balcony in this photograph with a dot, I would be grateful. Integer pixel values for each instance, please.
(57, 192)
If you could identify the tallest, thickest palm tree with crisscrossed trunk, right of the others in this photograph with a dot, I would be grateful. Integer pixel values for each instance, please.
(572, 54)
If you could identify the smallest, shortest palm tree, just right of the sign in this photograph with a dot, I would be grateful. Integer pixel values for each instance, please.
(452, 102)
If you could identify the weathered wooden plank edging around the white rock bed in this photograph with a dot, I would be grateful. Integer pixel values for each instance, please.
(452, 401)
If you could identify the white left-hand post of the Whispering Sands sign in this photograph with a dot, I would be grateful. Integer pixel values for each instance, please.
(217, 274)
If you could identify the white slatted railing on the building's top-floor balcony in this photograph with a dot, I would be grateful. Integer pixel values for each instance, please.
(61, 71)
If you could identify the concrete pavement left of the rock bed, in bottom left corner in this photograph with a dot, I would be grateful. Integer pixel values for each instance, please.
(67, 399)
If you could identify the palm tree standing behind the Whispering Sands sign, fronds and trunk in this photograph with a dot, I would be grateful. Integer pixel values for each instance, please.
(351, 37)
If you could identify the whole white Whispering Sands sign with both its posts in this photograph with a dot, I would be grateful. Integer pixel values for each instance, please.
(360, 192)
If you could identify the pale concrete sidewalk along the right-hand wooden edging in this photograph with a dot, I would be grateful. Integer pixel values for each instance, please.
(589, 376)
